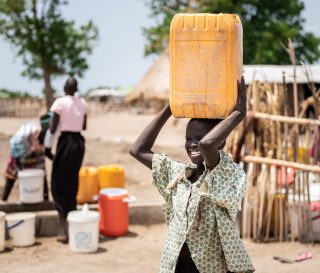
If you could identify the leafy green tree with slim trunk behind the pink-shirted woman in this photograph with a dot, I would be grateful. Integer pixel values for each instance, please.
(48, 44)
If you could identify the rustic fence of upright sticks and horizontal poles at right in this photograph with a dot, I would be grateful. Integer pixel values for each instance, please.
(280, 156)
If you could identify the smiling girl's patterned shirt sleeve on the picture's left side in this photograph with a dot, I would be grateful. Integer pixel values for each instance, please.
(161, 165)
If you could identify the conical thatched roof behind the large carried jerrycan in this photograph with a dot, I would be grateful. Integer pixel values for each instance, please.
(155, 83)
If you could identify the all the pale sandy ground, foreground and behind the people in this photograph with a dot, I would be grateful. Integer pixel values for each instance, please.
(108, 139)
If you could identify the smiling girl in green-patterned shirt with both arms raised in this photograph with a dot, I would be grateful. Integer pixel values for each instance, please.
(202, 198)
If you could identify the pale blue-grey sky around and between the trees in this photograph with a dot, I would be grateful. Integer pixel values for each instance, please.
(118, 59)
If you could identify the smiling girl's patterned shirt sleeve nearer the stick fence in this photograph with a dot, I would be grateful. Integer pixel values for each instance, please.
(226, 186)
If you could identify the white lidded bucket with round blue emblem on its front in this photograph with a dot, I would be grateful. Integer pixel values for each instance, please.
(83, 230)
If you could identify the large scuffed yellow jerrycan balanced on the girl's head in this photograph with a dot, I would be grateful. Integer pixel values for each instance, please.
(205, 64)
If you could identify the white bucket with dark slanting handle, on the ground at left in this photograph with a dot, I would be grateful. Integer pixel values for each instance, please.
(21, 228)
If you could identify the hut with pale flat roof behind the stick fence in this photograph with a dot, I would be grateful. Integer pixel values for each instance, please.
(280, 78)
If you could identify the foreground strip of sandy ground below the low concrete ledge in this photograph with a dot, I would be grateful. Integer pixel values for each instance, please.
(139, 252)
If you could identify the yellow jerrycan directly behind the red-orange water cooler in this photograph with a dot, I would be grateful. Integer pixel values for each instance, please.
(111, 176)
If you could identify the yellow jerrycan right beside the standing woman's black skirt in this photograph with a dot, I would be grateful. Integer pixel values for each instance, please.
(88, 185)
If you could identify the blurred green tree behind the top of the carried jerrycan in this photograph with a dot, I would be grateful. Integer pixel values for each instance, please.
(267, 26)
